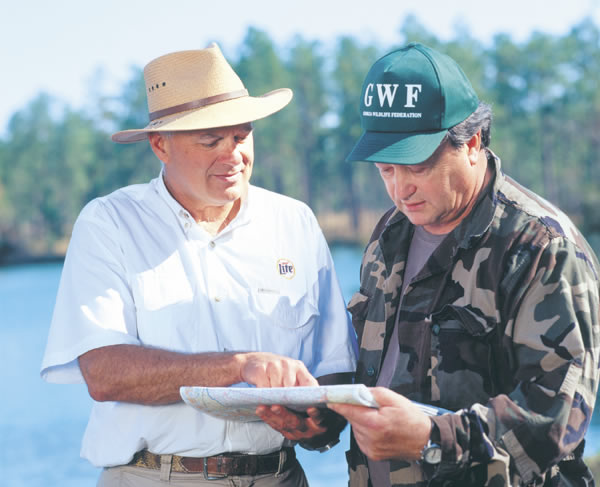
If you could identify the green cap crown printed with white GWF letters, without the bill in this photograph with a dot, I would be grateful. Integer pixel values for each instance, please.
(415, 89)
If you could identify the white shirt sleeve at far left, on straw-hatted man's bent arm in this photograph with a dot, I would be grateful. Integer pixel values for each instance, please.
(94, 305)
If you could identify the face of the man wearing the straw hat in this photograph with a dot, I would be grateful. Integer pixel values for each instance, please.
(207, 168)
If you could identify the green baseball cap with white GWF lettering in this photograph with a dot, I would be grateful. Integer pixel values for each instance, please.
(409, 100)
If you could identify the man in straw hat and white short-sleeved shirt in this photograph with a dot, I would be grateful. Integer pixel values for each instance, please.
(198, 278)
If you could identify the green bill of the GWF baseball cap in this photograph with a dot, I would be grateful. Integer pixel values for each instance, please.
(396, 148)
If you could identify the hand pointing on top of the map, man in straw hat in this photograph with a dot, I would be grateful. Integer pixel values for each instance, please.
(269, 370)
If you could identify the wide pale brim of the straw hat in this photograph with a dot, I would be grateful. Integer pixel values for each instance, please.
(222, 114)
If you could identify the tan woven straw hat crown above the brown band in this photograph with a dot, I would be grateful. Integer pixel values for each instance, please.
(186, 76)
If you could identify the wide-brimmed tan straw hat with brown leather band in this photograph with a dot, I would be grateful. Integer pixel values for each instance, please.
(191, 90)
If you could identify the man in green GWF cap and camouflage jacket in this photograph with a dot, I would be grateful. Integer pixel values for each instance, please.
(477, 296)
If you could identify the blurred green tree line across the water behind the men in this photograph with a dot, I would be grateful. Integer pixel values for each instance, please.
(543, 91)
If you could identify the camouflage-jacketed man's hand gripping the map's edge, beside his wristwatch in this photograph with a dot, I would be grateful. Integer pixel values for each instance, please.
(397, 430)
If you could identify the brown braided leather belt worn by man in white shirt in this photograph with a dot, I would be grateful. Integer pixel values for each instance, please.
(220, 465)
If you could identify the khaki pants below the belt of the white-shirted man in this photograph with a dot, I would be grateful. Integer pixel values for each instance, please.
(126, 476)
